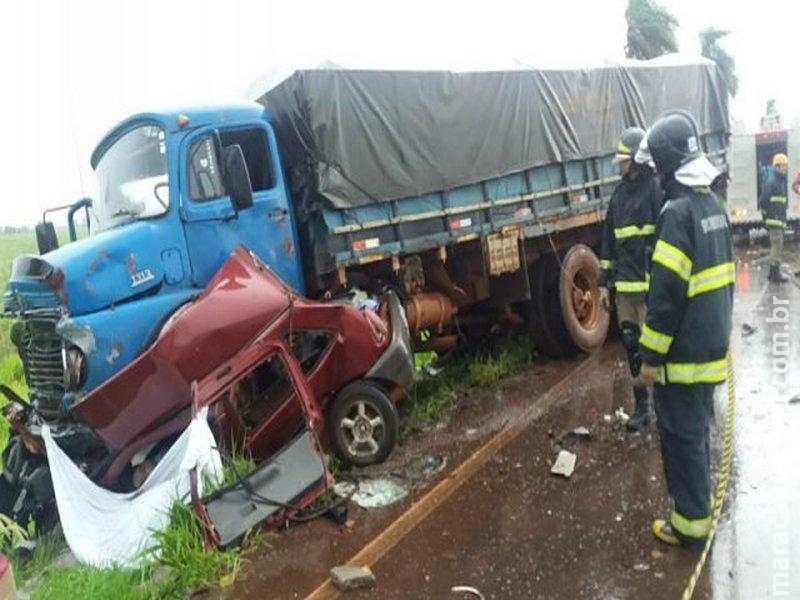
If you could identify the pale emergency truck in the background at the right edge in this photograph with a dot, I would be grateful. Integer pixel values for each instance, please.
(750, 160)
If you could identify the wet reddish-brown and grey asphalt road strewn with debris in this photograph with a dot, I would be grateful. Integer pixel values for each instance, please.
(513, 530)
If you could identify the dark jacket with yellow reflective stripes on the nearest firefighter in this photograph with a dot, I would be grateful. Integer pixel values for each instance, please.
(688, 324)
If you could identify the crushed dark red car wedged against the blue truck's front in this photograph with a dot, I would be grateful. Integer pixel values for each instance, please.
(281, 375)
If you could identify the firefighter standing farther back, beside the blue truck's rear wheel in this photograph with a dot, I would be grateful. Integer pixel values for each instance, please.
(628, 238)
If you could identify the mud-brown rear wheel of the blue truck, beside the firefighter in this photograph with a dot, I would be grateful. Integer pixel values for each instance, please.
(579, 290)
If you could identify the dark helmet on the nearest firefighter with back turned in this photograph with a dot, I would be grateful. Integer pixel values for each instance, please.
(673, 141)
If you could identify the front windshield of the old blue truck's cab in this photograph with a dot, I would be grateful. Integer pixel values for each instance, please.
(132, 180)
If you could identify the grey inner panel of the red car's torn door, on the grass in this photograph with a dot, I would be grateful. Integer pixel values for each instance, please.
(276, 489)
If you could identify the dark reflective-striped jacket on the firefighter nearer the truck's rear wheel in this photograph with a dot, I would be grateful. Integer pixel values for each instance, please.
(629, 232)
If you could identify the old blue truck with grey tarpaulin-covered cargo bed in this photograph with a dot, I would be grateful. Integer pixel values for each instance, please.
(477, 197)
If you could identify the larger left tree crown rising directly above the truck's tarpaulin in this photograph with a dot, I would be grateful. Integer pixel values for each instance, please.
(651, 30)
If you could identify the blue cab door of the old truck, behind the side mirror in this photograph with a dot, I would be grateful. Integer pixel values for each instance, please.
(214, 228)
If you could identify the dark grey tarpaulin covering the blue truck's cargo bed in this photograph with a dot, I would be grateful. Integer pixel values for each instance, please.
(359, 137)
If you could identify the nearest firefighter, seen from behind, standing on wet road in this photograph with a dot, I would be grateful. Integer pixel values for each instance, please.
(685, 337)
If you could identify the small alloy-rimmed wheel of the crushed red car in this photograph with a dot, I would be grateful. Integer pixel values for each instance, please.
(363, 424)
